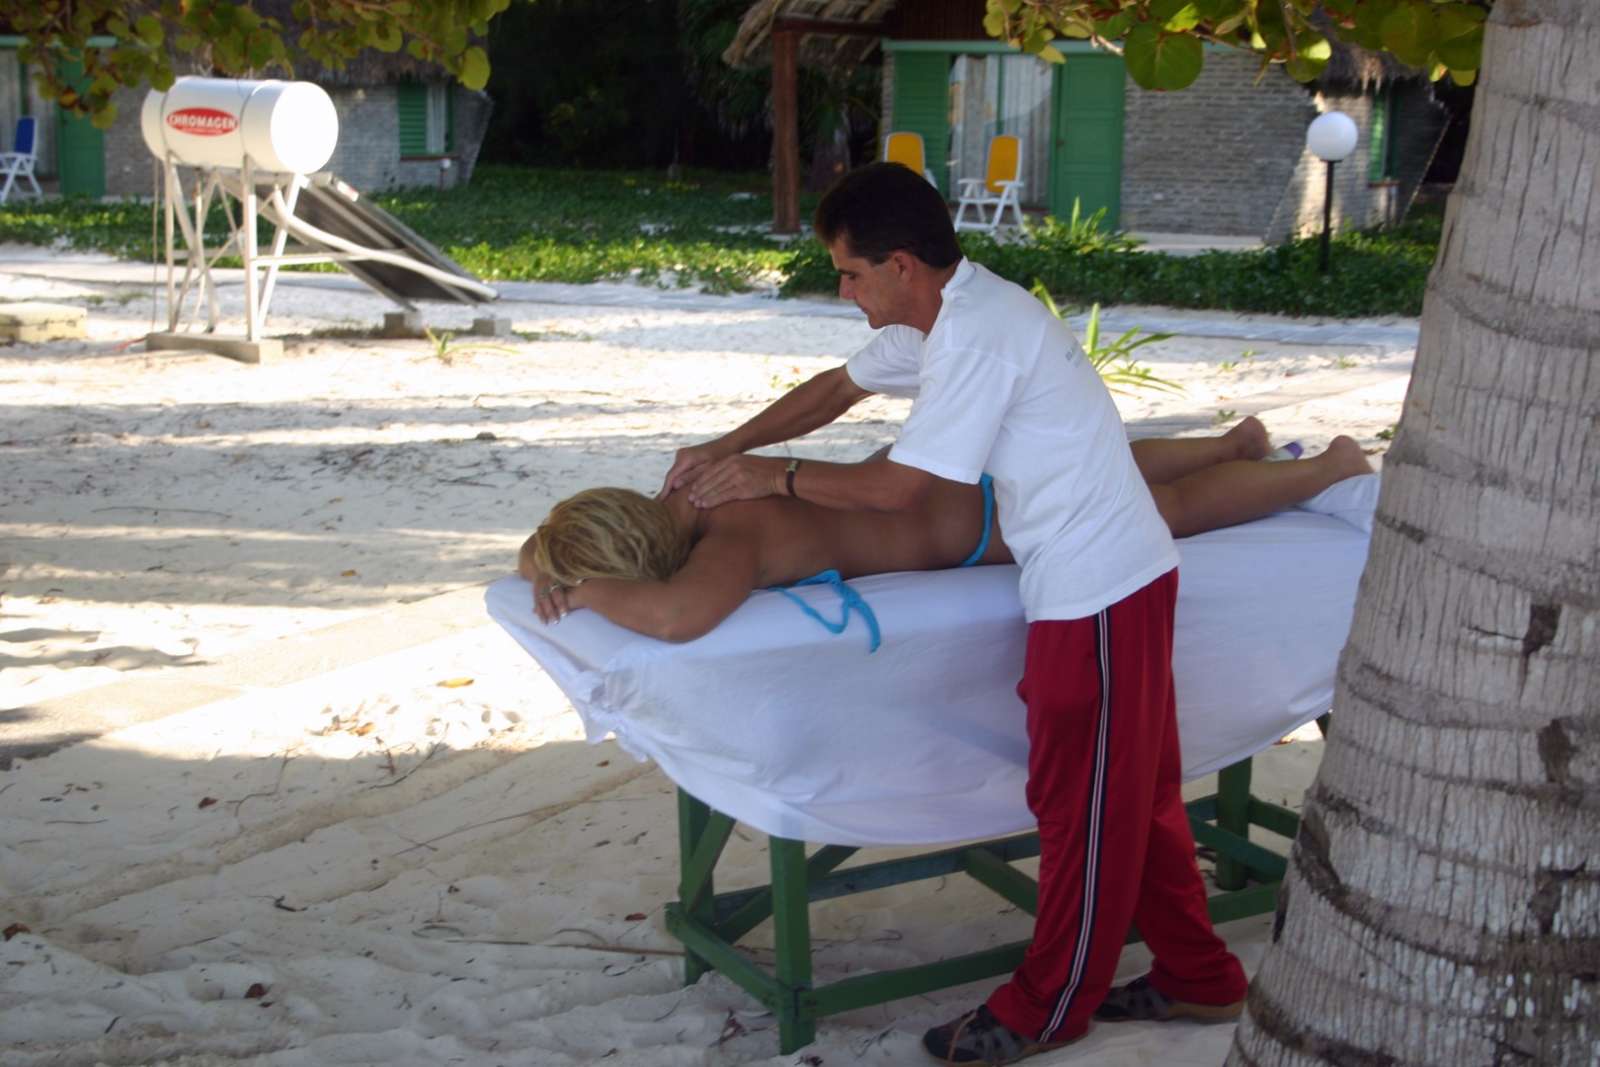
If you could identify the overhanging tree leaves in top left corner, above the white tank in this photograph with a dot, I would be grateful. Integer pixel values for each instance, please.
(231, 39)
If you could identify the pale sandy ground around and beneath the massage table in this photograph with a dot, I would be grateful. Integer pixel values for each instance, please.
(418, 873)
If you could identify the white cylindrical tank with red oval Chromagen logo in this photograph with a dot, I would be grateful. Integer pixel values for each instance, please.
(287, 127)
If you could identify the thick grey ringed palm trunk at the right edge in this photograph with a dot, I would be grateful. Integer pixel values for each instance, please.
(1444, 893)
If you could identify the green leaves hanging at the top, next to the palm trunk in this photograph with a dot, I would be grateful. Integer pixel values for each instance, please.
(1164, 41)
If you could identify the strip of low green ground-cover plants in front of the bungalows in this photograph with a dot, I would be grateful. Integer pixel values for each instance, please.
(708, 230)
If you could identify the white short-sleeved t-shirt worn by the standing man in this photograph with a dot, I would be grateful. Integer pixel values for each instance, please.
(1002, 386)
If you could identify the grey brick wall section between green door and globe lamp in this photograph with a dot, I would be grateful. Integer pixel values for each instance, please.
(1217, 156)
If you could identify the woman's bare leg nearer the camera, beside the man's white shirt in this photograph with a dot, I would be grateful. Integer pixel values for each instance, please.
(1233, 494)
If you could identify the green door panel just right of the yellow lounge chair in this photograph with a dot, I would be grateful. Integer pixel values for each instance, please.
(1087, 159)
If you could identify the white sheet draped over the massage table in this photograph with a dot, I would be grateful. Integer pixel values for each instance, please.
(801, 733)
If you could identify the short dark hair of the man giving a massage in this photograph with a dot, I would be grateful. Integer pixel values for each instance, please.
(882, 209)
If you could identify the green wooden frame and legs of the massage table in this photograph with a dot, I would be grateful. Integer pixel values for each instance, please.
(710, 924)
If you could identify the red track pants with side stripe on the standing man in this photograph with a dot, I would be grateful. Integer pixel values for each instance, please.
(1103, 780)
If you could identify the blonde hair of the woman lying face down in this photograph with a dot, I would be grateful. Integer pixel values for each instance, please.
(607, 533)
